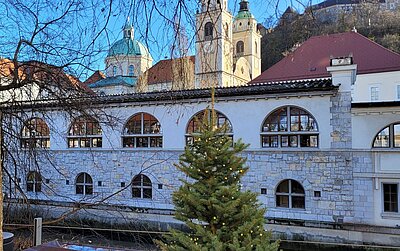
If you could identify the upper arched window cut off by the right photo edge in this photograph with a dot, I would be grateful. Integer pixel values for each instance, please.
(388, 137)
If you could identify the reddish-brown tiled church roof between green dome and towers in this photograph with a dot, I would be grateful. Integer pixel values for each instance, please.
(162, 71)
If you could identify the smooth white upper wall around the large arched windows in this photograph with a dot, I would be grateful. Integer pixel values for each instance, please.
(246, 117)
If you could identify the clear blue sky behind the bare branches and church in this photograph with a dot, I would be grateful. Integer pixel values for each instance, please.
(85, 34)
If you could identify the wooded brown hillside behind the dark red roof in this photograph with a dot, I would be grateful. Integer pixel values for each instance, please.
(293, 28)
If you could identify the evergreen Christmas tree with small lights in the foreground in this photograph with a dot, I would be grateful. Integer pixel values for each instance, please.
(219, 215)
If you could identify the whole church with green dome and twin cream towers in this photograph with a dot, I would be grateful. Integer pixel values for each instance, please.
(228, 53)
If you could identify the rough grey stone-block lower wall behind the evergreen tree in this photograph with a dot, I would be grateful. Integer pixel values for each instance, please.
(329, 172)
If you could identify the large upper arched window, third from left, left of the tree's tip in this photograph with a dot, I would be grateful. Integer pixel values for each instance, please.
(141, 131)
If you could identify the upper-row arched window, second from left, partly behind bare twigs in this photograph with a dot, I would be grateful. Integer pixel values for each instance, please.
(85, 132)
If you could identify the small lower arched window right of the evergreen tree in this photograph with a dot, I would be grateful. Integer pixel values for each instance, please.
(290, 194)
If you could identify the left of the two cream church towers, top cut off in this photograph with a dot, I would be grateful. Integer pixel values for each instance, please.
(214, 60)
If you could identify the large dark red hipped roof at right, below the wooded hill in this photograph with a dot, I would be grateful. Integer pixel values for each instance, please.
(311, 58)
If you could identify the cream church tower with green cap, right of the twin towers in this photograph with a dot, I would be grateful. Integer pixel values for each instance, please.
(247, 44)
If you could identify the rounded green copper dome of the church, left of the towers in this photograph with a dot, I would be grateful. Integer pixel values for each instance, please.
(128, 47)
